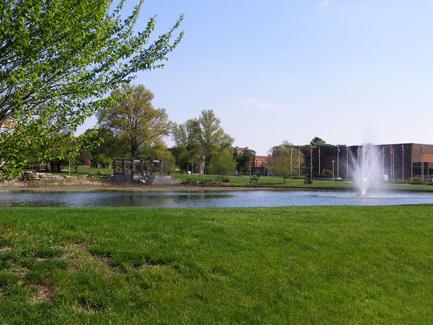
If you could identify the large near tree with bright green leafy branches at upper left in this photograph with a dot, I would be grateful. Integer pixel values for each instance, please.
(59, 60)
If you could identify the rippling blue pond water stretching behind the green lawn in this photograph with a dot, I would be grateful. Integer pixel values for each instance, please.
(209, 199)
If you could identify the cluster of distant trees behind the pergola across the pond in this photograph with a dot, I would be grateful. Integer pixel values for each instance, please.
(132, 128)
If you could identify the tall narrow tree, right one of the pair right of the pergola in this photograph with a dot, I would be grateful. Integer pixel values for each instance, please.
(213, 137)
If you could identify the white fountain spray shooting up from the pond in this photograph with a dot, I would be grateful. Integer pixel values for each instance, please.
(366, 168)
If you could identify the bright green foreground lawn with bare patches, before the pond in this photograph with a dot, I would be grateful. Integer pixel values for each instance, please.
(321, 265)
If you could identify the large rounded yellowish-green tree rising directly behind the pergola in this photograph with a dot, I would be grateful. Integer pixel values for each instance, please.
(133, 118)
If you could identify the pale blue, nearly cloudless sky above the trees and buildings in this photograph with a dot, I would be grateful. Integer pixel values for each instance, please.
(348, 71)
